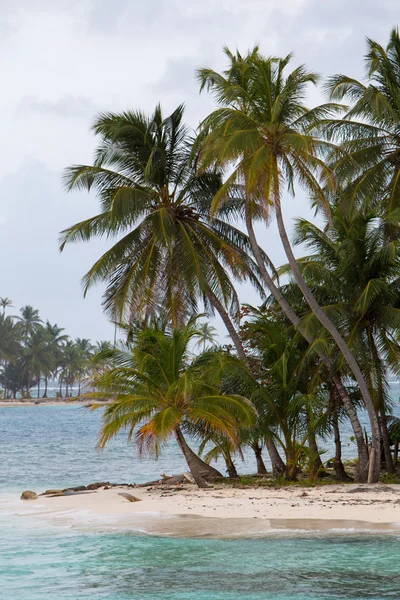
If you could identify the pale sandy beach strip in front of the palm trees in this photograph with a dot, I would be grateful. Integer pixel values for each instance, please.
(191, 511)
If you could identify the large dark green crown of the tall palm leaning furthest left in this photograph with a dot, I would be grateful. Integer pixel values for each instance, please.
(169, 253)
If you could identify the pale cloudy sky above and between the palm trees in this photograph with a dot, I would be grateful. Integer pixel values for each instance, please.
(65, 60)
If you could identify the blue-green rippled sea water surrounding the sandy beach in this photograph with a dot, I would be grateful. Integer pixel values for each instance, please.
(55, 446)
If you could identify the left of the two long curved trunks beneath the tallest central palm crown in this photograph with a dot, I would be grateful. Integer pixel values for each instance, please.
(295, 320)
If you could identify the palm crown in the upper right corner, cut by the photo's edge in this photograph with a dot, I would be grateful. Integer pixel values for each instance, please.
(369, 131)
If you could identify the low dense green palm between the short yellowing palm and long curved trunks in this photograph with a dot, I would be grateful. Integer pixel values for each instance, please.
(289, 398)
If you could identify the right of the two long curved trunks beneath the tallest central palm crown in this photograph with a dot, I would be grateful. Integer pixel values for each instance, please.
(323, 318)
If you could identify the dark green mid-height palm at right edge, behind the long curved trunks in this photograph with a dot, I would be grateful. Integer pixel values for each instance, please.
(355, 269)
